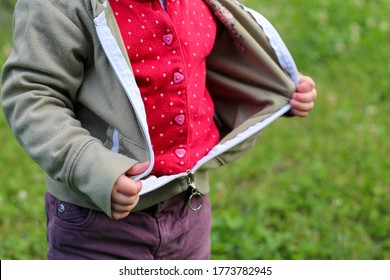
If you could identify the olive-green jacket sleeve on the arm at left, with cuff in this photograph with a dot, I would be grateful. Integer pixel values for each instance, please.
(40, 82)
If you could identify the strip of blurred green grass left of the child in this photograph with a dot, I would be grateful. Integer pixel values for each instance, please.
(22, 216)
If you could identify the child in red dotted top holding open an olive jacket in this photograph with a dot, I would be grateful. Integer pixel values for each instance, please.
(103, 94)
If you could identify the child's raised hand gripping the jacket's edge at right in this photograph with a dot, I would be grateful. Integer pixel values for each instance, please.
(302, 101)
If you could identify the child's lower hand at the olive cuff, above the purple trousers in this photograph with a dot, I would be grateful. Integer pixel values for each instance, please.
(125, 194)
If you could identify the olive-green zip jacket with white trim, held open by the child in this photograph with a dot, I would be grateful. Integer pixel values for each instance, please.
(70, 97)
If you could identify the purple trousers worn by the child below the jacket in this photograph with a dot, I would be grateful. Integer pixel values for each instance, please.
(168, 230)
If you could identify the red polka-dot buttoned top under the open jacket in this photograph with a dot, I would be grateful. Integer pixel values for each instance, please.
(167, 49)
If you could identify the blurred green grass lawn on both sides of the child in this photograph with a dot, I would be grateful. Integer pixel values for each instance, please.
(314, 188)
